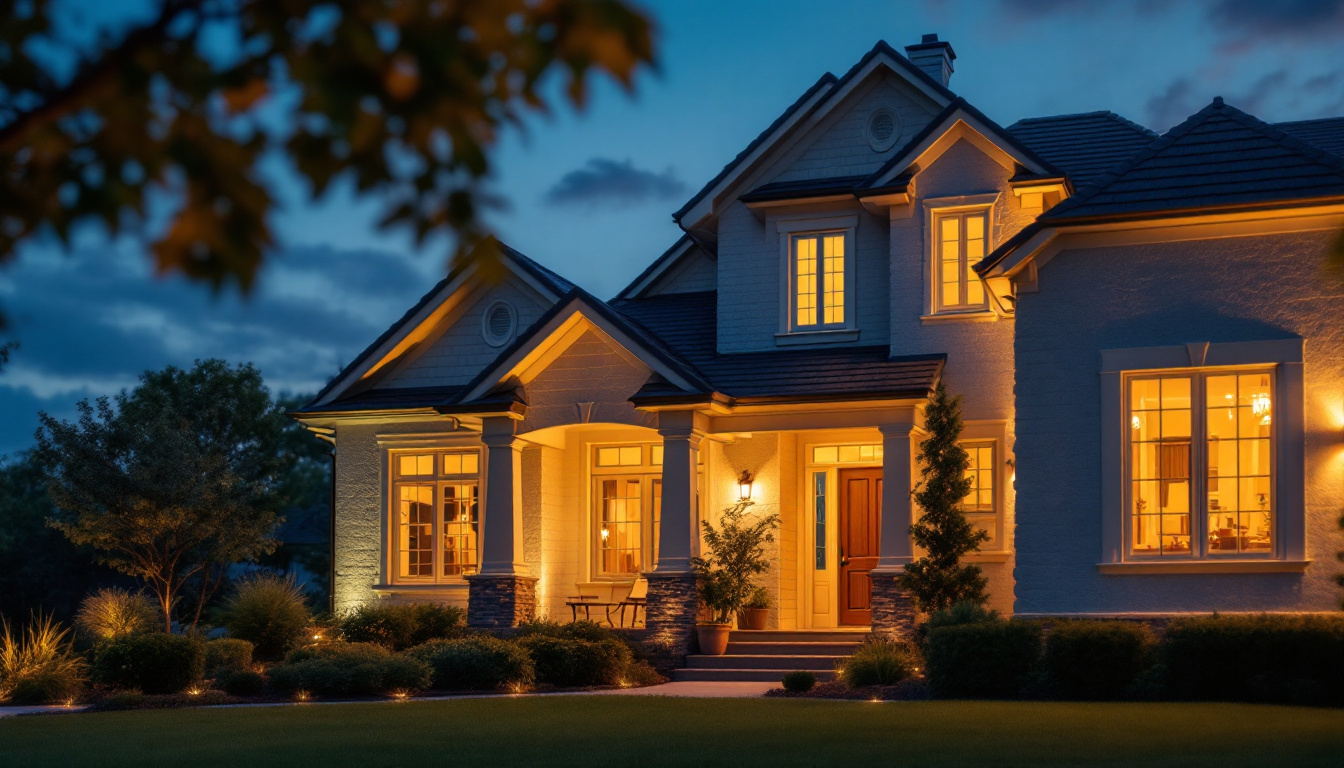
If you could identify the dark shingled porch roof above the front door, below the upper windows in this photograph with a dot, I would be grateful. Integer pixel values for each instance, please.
(687, 322)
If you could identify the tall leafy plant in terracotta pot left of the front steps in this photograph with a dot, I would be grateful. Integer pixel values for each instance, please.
(726, 572)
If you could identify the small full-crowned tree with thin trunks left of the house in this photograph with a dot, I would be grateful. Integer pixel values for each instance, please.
(177, 482)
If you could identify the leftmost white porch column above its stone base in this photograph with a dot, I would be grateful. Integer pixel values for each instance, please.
(502, 517)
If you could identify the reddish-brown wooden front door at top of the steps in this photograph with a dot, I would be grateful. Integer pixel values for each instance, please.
(861, 533)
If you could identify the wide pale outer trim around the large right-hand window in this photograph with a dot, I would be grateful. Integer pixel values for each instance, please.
(1286, 356)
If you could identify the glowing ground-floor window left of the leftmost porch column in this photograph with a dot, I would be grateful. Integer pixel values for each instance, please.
(436, 516)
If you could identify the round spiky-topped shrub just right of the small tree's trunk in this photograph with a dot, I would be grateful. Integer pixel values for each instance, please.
(268, 611)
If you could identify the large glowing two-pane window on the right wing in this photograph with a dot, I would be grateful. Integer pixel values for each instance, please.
(1201, 465)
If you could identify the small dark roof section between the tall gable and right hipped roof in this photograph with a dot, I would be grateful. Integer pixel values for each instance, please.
(1084, 146)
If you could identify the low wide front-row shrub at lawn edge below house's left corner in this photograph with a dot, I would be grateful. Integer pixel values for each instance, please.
(349, 669)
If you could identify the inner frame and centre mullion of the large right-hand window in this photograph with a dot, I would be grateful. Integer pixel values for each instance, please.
(1200, 492)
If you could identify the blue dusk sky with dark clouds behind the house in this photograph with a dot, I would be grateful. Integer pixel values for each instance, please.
(591, 196)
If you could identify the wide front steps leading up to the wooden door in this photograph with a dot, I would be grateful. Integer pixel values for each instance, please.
(767, 656)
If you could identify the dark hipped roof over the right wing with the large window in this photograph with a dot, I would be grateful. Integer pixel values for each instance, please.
(1218, 158)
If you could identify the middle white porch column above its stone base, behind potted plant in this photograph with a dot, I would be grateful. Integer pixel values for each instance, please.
(681, 462)
